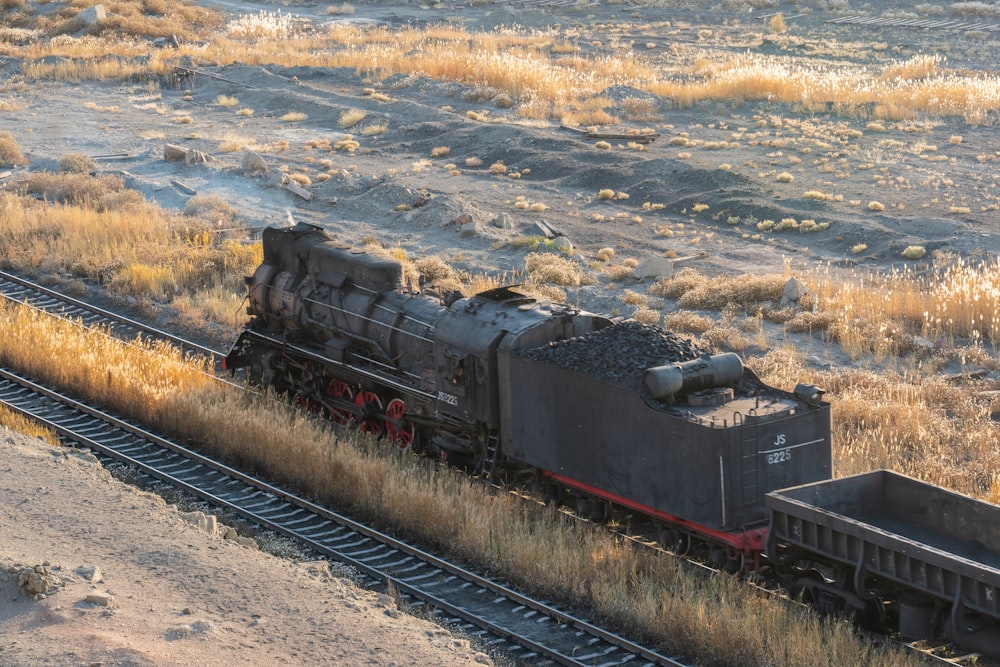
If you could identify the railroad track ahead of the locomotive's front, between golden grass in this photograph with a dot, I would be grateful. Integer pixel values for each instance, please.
(20, 290)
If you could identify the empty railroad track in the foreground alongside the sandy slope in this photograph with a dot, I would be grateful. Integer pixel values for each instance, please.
(530, 631)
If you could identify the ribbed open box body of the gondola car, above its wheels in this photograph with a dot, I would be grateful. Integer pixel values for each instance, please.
(923, 537)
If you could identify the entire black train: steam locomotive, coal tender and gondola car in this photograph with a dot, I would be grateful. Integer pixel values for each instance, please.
(602, 414)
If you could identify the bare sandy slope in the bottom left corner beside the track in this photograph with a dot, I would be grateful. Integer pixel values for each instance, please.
(168, 593)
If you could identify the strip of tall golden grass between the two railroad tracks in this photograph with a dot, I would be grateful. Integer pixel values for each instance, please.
(715, 621)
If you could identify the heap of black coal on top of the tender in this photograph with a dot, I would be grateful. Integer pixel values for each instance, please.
(618, 353)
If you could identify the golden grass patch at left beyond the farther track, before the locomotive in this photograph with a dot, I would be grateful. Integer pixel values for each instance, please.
(134, 248)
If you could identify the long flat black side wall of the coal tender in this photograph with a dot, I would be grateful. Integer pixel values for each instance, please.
(606, 437)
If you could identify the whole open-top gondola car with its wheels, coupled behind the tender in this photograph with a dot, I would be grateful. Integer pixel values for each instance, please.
(882, 540)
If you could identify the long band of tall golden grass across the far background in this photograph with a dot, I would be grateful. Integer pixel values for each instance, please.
(523, 65)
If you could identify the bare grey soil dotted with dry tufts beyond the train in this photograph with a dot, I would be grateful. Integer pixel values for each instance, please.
(934, 178)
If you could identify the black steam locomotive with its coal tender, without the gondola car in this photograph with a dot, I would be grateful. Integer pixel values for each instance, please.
(604, 414)
